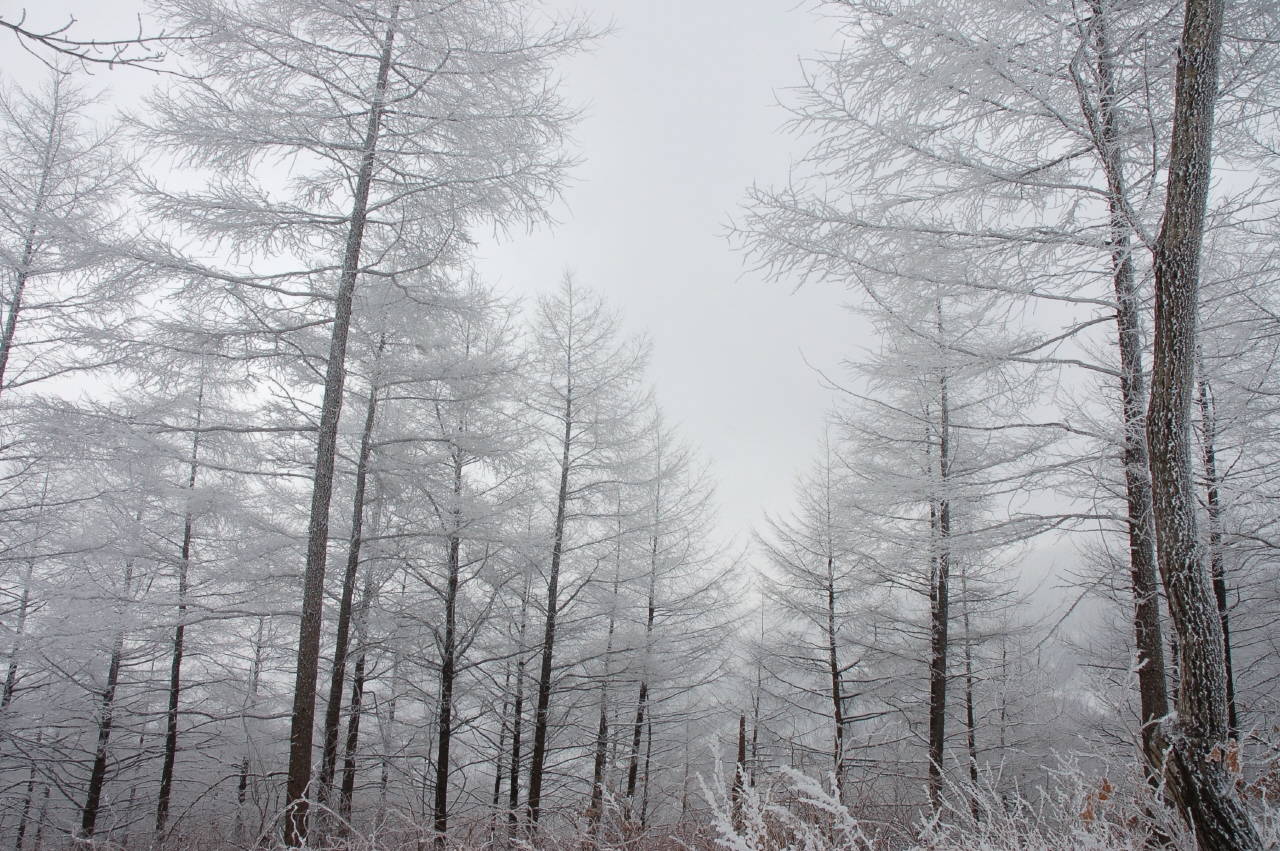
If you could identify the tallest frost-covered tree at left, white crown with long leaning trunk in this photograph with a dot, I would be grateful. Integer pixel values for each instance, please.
(403, 125)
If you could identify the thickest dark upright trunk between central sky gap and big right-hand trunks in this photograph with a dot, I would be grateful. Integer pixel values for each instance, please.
(940, 598)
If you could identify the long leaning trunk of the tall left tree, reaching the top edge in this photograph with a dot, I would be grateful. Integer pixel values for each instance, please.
(303, 729)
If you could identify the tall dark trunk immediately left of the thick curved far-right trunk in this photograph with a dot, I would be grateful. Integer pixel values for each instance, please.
(1145, 583)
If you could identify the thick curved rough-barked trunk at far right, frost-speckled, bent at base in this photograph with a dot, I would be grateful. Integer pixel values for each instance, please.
(1192, 745)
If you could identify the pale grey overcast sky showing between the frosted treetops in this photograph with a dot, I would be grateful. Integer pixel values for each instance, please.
(682, 118)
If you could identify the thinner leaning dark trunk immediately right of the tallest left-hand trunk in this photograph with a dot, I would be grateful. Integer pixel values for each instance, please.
(333, 711)
